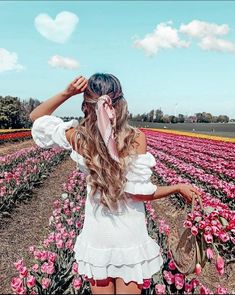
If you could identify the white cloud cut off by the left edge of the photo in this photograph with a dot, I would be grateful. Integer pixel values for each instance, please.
(9, 61)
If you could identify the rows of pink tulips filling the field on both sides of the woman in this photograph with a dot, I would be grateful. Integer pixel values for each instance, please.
(205, 163)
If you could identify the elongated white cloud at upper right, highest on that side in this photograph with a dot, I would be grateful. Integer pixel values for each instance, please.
(200, 29)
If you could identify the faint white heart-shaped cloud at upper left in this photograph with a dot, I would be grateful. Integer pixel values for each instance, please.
(58, 30)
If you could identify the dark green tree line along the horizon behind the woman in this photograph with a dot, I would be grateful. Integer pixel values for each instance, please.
(14, 113)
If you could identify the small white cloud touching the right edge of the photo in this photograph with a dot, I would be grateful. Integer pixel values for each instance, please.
(211, 43)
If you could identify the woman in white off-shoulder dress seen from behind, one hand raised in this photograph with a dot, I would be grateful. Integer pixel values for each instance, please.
(114, 250)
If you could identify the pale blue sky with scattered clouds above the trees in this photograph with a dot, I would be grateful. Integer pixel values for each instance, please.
(175, 55)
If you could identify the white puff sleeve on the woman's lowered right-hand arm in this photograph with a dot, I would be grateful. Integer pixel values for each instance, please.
(138, 175)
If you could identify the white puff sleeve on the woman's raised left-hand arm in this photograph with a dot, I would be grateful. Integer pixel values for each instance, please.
(49, 131)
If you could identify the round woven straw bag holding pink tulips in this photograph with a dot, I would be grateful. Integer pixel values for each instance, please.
(186, 249)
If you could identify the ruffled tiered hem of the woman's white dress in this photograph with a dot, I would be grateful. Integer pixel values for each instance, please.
(130, 263)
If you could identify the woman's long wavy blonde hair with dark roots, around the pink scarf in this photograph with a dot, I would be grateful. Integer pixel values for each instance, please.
(106, 175)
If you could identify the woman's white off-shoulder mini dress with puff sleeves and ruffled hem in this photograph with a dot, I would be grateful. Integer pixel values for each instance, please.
(109, 245)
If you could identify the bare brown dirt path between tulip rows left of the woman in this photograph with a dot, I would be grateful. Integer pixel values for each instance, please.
(29, 224)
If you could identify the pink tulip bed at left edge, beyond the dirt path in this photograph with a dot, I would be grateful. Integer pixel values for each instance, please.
(23, 170)
